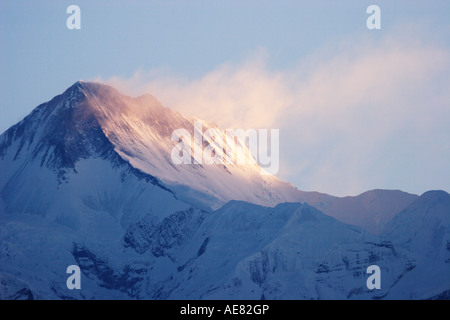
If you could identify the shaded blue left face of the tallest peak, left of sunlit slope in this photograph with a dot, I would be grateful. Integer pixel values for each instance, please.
(62, 183)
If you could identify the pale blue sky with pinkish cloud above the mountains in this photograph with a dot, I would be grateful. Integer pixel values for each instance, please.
(357, 109)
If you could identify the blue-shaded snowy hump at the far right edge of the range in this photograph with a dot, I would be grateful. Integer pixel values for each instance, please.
(423, 228)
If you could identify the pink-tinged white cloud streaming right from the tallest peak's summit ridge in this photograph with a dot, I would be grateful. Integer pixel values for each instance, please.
(367, 116)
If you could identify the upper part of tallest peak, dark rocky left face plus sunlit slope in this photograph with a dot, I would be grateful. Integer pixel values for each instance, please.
(93, 119)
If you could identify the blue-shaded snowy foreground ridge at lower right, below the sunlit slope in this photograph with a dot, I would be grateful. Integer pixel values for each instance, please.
(293, 251)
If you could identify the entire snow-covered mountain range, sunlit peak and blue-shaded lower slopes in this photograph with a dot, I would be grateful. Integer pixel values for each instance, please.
(87, 179)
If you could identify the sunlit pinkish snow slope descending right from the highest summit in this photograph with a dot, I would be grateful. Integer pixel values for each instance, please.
(141, 131)
